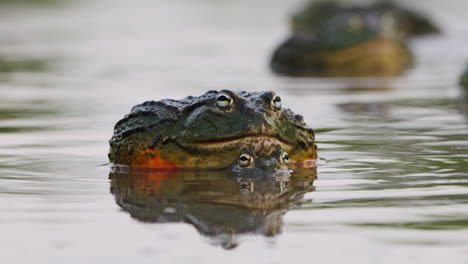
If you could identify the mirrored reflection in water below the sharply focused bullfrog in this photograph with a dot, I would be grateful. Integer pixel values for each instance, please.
(220, 205)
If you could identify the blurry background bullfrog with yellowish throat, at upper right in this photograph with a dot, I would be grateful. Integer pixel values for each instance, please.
(345, 42)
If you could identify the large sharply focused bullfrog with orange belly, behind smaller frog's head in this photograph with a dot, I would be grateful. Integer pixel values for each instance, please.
(210, 131)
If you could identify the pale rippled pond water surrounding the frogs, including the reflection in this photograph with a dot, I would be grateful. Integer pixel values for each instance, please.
(392, 179)
